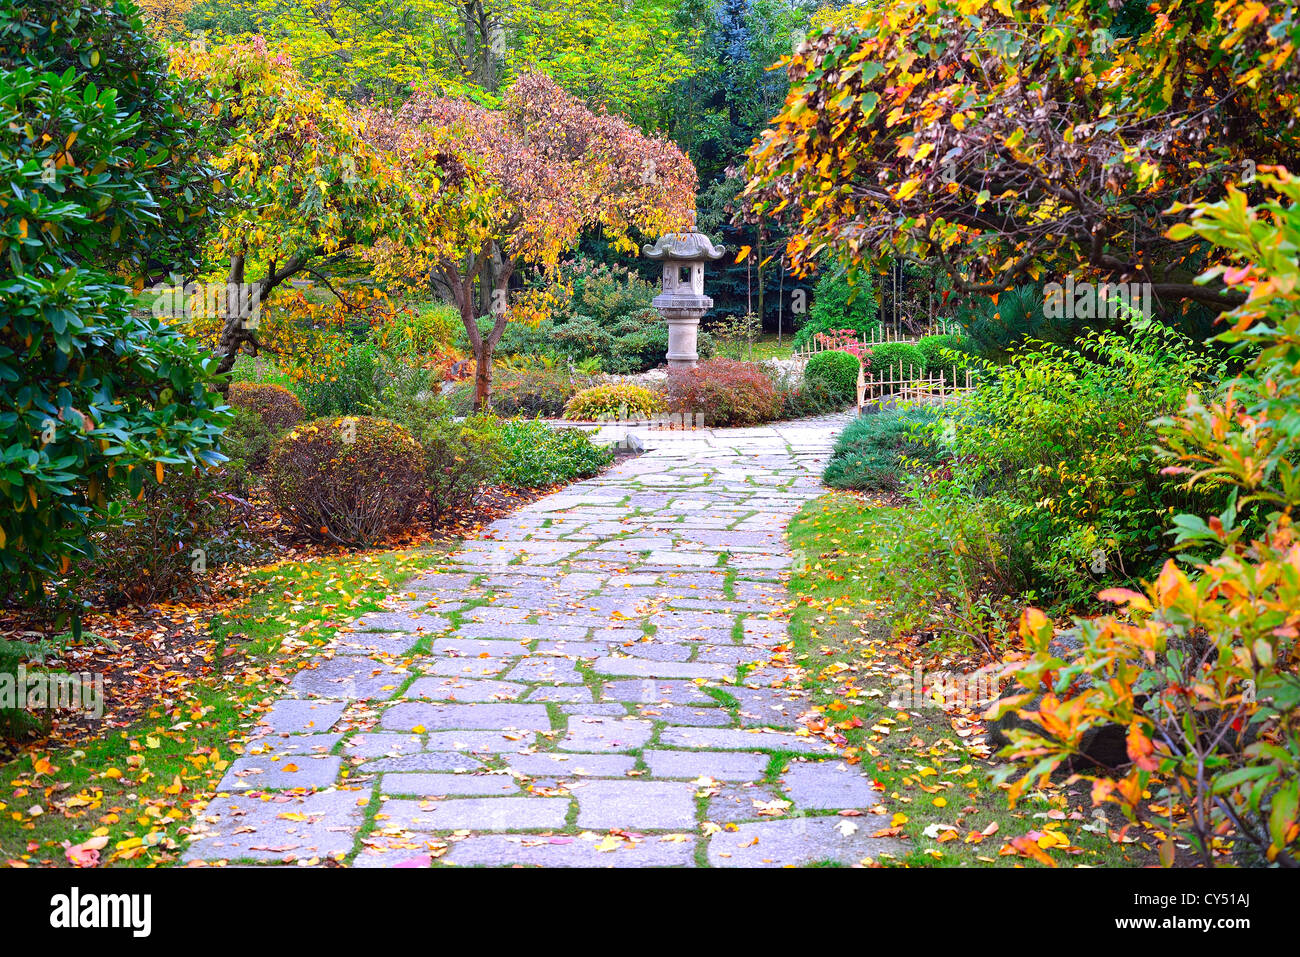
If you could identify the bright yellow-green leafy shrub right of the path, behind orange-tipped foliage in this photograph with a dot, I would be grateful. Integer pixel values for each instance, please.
(1058, 445)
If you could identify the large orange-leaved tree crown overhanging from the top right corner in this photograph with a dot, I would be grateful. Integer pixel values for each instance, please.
(1004, 140)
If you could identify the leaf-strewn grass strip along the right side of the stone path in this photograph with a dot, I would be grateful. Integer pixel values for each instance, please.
(933, 776)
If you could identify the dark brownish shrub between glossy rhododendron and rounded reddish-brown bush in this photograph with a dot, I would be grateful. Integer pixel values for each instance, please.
(170, 542)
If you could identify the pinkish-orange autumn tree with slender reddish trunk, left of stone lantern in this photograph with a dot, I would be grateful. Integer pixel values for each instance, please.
(497, 189)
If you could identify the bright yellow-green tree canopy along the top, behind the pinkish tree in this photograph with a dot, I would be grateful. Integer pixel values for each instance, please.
(618, 55)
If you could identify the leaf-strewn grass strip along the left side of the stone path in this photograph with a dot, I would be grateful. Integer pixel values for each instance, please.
(132, 790)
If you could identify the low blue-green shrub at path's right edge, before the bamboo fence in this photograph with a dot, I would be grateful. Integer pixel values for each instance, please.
(877, 452)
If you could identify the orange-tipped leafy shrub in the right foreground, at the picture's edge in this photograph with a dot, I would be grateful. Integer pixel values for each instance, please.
(1202, 666)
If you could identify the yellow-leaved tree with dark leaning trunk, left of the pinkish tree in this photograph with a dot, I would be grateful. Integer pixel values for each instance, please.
(302, 187)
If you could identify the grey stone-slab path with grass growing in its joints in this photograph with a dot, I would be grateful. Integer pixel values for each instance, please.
(590, 685)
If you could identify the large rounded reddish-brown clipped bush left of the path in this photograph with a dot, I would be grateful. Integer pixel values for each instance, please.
(350, 480)
